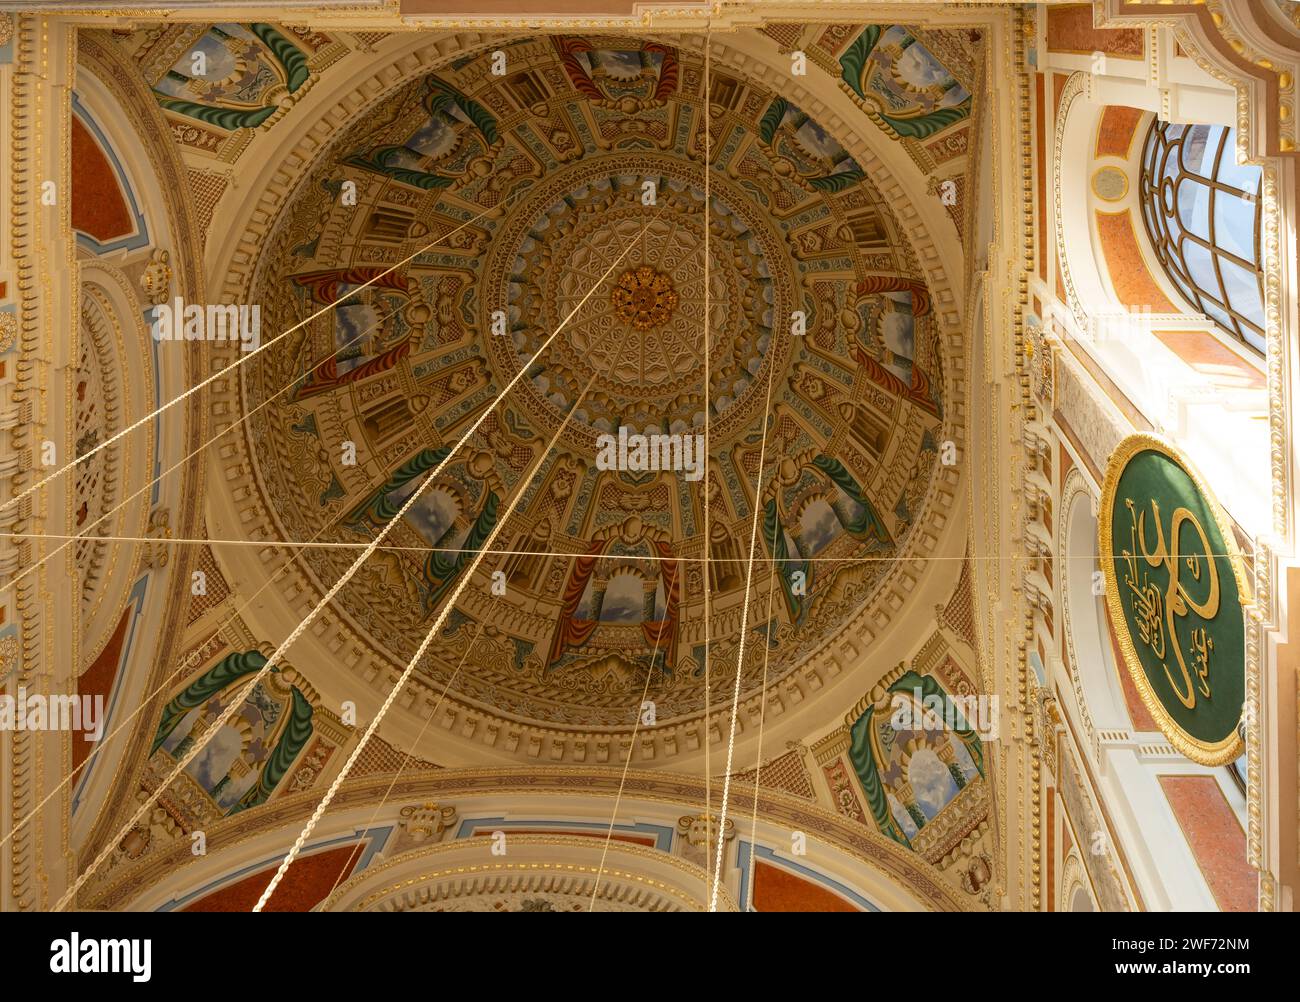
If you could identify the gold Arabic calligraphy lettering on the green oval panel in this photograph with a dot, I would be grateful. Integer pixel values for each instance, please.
(1158, 613)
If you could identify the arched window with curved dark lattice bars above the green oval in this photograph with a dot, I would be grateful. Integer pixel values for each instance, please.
(1203, 216)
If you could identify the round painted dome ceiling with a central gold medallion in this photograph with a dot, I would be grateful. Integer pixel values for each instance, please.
(604, 569)
